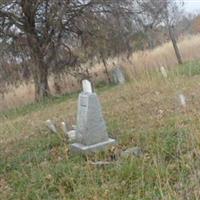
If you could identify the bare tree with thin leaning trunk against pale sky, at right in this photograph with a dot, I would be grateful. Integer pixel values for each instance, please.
(158, 13)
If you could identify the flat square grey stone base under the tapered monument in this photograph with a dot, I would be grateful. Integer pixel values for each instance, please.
(84, 149)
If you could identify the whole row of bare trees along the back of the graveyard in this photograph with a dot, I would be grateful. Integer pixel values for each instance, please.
(43, 37)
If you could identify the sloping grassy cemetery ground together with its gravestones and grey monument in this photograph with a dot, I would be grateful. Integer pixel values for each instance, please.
(99, 144)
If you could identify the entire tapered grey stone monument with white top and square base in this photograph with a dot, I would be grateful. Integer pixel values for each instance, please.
(91, 132)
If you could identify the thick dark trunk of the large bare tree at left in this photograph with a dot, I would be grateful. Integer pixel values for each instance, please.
(36, 46)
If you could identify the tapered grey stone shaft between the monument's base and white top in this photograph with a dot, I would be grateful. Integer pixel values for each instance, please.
(91, 128)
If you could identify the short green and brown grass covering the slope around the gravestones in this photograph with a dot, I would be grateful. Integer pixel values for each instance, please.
(145, 112)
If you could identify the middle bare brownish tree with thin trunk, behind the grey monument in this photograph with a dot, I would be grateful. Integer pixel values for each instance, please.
(113, 36)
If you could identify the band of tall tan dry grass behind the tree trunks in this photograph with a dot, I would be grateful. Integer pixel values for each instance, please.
(138, 63)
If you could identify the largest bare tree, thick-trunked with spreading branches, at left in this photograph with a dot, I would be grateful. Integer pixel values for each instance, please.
(46, 32)
